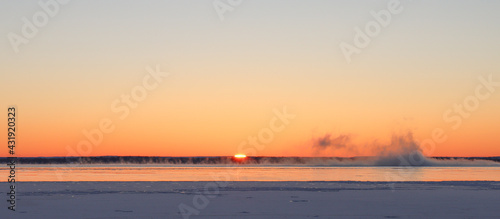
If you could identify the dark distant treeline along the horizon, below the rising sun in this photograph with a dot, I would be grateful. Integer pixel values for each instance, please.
(195, 160)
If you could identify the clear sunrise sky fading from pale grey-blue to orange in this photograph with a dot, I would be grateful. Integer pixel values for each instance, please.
(204, 78)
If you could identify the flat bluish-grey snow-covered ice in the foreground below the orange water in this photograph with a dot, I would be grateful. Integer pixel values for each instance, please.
(255, 200)
